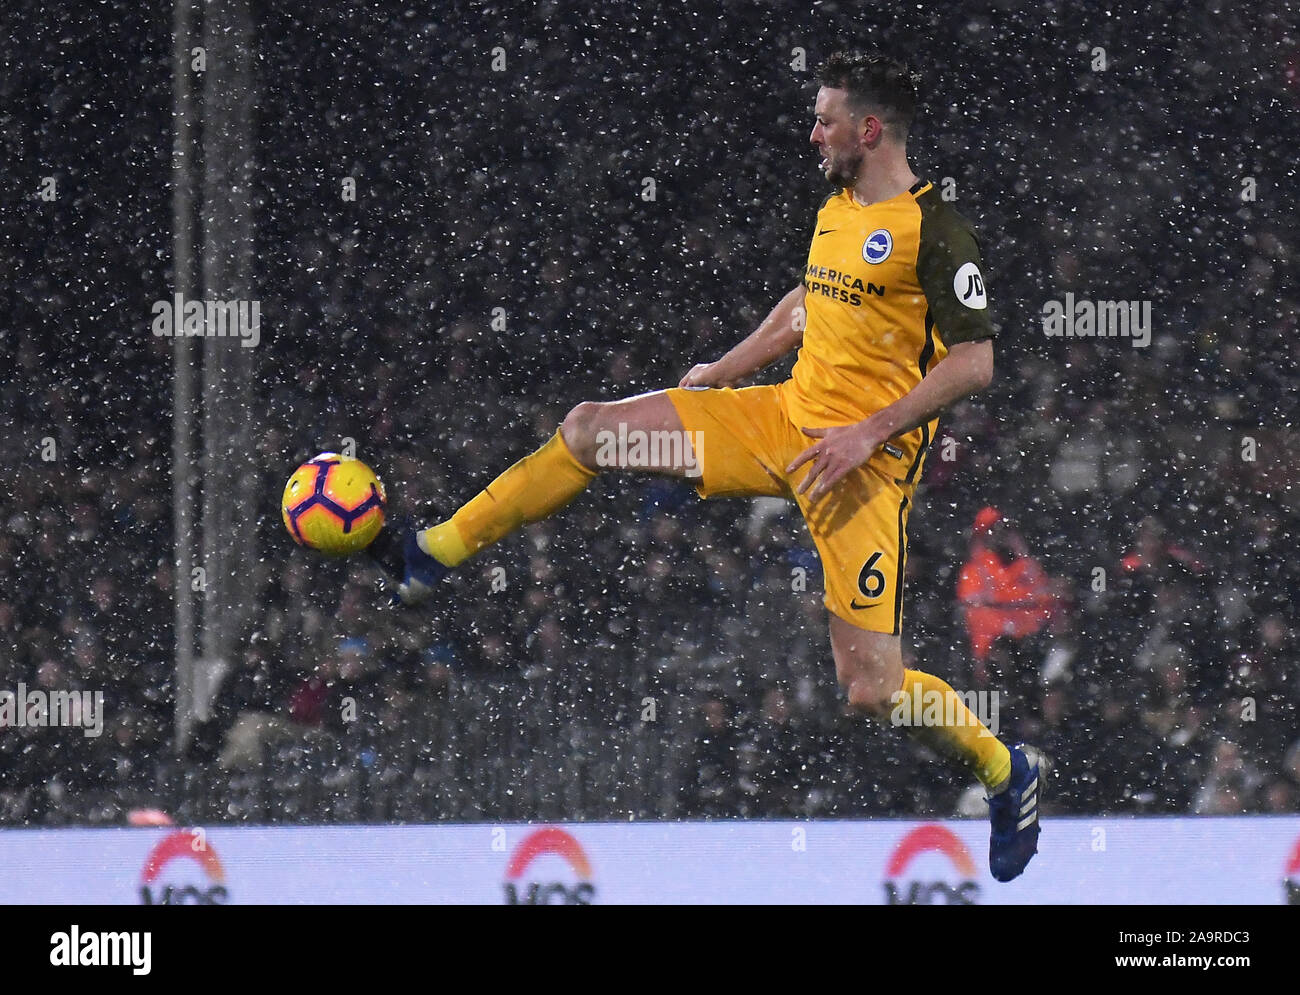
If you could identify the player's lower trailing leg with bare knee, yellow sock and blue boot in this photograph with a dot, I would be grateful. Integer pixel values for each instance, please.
(869, 667)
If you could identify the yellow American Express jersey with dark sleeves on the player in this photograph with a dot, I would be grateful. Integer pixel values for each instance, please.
(890, 288)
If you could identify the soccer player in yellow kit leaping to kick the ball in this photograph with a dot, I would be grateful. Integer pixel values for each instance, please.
(891, 325)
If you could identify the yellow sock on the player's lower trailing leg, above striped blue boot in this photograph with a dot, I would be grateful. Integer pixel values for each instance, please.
(938, 715)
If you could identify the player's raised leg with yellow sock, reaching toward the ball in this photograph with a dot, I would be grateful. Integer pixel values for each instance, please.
(532, 490)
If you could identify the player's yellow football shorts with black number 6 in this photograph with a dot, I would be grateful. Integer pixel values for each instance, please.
(747, 442)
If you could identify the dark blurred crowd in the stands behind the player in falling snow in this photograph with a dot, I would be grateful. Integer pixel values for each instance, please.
(1103, 538)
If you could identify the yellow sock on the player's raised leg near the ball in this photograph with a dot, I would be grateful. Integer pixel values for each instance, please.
(536, 487)
